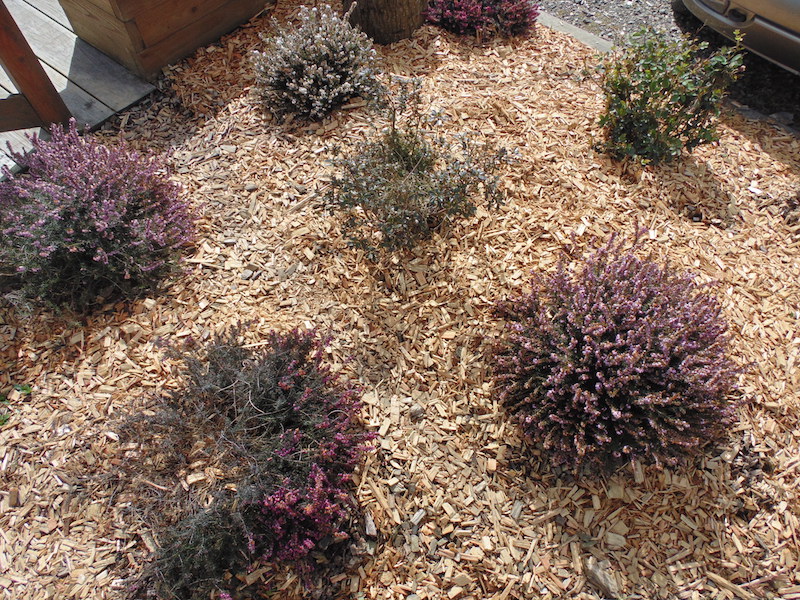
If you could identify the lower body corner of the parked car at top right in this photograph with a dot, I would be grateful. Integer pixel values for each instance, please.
(771, 28)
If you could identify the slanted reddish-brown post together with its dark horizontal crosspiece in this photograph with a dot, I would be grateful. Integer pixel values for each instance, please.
(38, 96)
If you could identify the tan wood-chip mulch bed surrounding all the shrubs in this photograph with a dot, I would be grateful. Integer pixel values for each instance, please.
(463, 508)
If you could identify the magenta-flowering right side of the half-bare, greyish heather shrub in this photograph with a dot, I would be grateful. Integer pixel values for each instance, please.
(319, 447)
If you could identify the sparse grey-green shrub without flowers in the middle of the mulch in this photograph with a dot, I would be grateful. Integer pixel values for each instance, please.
(400, 187)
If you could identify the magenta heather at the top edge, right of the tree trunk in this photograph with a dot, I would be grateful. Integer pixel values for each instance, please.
(484, 18)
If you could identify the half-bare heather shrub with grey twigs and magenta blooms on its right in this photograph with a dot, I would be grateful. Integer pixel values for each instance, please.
(284, 431)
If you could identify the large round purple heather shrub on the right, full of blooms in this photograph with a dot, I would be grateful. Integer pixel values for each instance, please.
(621, 360)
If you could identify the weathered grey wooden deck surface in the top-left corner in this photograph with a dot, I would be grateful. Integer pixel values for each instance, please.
(92, 85)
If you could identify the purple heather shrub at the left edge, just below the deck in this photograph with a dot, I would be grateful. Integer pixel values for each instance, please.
(89, 217)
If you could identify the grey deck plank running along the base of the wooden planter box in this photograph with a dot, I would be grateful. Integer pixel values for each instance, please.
(84, 65)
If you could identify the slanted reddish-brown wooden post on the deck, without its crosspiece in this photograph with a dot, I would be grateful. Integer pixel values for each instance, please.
(24, 70)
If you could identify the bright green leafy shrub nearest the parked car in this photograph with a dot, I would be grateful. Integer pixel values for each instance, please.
(661, 97)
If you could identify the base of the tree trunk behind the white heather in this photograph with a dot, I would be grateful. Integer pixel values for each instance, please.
(387, 21)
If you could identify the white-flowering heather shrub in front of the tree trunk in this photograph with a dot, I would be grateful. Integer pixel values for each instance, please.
(311, 69)
